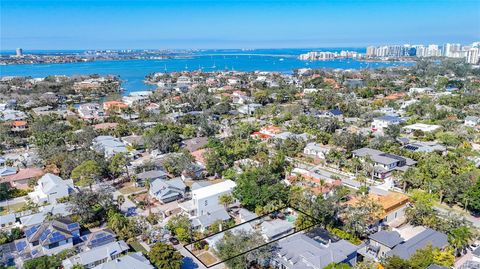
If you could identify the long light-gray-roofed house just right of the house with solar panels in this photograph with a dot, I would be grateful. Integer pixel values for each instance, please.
(96, 256)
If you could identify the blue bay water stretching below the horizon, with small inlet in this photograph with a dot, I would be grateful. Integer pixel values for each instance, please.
(133, 72)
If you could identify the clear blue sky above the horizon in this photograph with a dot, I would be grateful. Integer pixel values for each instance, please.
(215, 24)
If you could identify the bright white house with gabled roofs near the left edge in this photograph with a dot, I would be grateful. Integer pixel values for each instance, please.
(50, 188)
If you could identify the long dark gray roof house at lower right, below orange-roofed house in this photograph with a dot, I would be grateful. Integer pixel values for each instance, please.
(427, 237)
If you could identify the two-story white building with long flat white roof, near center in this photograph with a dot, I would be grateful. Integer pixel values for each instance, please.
(205, 200)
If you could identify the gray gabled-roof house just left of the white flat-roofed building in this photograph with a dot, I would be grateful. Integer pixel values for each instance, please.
(167, 191)
